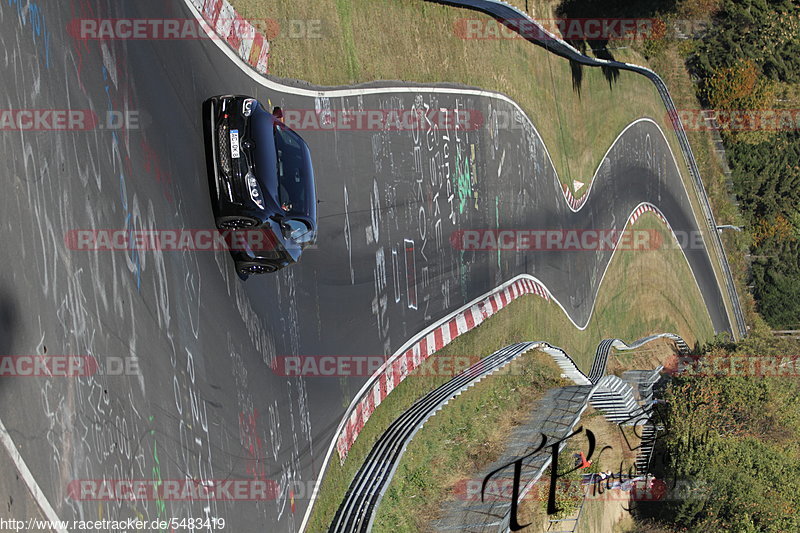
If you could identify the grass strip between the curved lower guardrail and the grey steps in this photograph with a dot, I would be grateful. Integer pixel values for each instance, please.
(465, 436)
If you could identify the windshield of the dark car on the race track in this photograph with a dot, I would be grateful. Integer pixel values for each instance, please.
(293, 178)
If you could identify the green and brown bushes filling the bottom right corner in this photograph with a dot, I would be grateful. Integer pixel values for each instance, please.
(735, 441)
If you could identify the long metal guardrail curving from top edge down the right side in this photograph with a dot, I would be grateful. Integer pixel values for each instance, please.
(513, 18)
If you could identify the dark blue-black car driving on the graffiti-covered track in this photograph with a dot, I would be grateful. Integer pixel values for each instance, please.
(261, 179)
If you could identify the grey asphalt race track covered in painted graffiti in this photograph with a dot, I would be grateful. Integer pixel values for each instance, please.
(206, 403)
